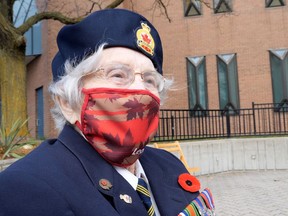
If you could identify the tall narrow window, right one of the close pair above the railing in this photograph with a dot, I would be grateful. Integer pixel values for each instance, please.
(228, 83)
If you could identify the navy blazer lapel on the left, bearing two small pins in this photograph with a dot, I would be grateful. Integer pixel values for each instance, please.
(119, 192)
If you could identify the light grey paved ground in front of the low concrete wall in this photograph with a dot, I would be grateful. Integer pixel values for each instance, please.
(249, 193)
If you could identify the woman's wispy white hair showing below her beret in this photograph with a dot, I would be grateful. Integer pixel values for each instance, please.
(68, 87)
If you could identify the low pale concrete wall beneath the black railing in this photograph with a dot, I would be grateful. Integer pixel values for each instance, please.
(222, 155)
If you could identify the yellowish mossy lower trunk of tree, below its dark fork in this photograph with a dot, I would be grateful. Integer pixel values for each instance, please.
(13, 88)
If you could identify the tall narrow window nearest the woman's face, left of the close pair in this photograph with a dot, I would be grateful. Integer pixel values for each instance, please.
(197, 84)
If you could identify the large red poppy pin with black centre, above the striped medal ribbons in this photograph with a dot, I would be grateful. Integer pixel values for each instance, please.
(188, 182)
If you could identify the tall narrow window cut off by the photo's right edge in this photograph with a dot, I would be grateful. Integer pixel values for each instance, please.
(279, 74)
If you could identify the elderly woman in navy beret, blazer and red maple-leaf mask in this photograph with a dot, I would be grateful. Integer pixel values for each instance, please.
(107, 87)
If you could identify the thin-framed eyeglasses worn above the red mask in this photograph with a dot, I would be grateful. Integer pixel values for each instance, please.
(123, 76)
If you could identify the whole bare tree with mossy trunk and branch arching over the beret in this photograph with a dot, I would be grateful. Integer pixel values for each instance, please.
(12, 50)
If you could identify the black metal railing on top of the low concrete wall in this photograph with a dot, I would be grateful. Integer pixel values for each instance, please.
(261, 119)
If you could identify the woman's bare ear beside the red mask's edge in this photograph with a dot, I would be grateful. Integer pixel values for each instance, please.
(70, 115)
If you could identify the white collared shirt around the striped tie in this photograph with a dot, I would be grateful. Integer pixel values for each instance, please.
(133, 180)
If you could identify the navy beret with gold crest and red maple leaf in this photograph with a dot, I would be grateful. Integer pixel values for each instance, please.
(116, 28)
